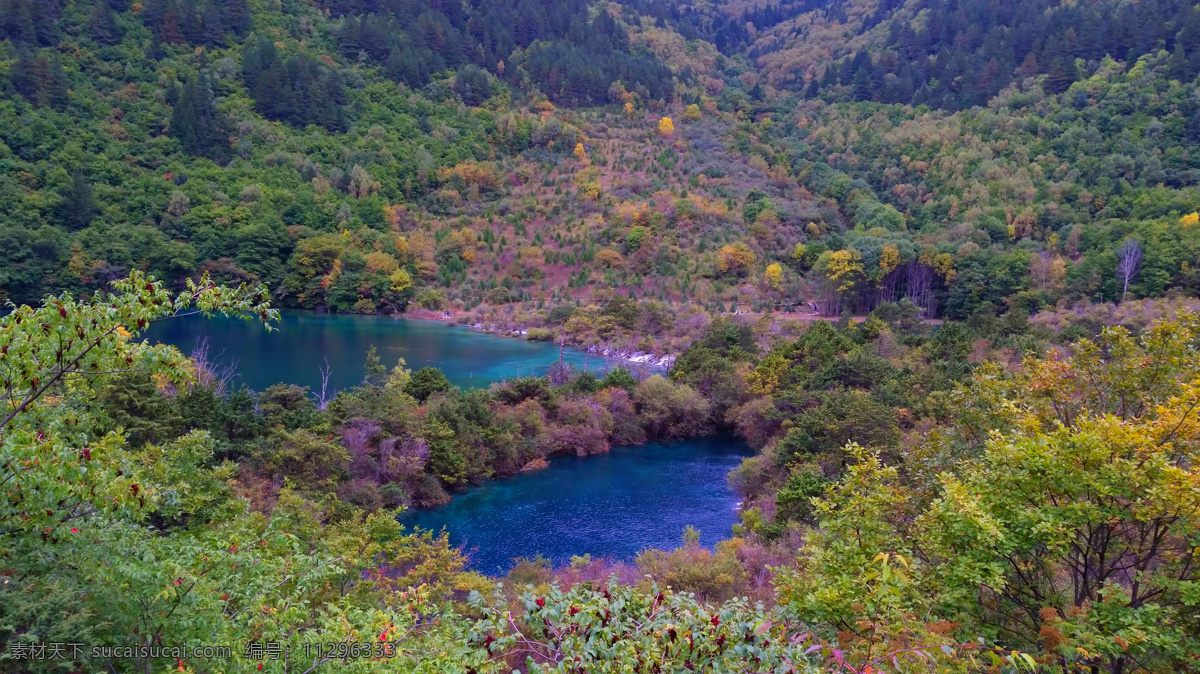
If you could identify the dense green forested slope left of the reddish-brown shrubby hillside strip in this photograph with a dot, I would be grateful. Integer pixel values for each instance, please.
(178, 137)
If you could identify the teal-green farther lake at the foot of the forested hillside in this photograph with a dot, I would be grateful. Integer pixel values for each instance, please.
(296, 353)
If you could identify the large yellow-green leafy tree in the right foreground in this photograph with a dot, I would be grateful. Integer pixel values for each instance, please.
(1060, 511)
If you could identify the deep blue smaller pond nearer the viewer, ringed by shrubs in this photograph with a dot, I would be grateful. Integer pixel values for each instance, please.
(610, 505)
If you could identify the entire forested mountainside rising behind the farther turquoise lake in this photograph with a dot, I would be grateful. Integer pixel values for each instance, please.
(503, 159)
